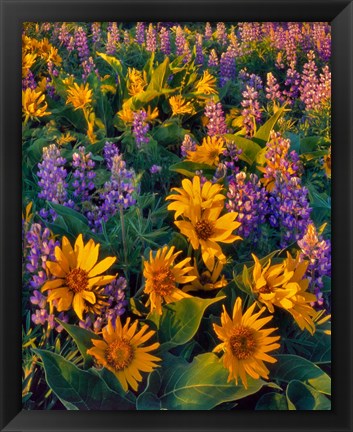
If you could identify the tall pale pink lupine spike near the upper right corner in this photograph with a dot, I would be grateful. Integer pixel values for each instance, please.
(309, 83)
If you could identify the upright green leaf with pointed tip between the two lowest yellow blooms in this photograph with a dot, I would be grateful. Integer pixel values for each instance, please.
(180, 320)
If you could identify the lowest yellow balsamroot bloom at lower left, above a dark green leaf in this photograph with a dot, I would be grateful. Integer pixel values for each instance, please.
(122, 352)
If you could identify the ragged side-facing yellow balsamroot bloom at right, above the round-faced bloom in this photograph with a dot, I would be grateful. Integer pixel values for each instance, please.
(282, 285)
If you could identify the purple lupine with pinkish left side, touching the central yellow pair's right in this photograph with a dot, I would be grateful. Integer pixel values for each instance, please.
(249, 199)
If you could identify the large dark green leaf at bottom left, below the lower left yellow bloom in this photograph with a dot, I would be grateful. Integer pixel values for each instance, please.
(84, 390)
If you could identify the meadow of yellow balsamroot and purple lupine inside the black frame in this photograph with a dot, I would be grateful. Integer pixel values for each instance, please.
(176, 216)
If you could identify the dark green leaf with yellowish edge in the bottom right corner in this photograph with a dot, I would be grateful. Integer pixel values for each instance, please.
(303, 397)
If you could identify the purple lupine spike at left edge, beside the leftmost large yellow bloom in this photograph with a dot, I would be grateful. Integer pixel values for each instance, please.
(41, 248)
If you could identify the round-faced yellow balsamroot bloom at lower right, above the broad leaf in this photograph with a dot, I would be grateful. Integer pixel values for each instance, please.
(245, 344)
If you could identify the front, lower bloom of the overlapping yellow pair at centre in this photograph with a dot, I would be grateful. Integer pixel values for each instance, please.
(206, 228)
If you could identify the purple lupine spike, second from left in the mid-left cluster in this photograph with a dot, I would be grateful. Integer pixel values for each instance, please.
(83, 173)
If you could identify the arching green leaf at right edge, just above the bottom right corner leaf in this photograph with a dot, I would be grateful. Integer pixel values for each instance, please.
(291, 367)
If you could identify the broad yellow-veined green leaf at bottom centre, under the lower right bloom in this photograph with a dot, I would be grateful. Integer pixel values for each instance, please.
(201, 385)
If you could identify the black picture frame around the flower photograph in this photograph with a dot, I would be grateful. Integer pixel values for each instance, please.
(13, 14)
